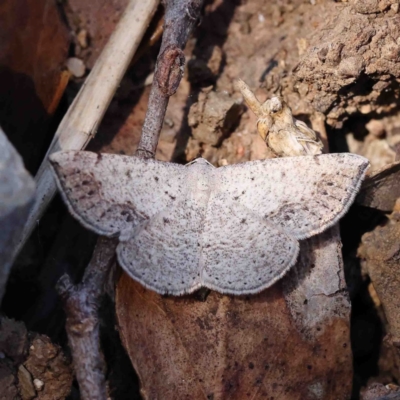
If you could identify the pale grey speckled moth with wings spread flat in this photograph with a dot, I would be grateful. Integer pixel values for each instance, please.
(233, 229)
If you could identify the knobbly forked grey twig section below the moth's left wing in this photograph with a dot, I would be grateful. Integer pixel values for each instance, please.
(81, 303)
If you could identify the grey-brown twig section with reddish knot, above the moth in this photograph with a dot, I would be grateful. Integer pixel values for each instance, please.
(180, 17)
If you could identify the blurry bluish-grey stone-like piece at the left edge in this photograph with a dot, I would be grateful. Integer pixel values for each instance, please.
(16, 195)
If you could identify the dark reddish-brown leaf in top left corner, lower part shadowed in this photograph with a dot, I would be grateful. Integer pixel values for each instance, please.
(33, 51)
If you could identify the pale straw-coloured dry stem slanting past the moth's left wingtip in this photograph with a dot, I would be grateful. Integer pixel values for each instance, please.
(80, 123)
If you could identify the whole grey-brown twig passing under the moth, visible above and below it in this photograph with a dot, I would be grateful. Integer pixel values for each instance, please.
(81, 302)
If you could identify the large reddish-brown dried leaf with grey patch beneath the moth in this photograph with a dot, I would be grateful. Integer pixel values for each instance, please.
(295, 346)
